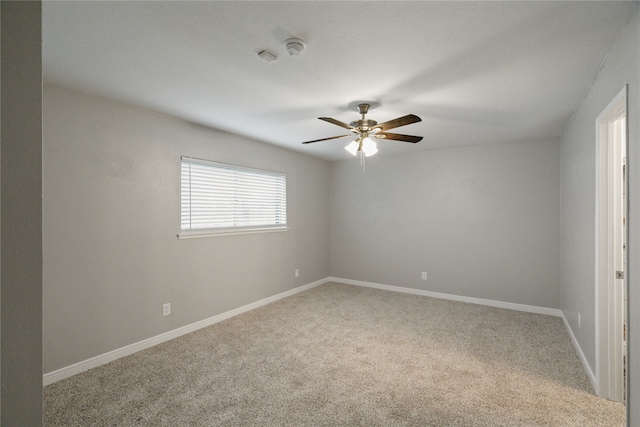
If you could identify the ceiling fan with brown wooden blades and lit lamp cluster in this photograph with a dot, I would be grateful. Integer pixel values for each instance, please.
(365, 129)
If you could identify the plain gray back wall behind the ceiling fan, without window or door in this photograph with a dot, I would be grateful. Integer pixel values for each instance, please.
(482, 221)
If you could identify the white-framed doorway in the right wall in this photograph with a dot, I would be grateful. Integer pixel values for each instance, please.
(611, 232)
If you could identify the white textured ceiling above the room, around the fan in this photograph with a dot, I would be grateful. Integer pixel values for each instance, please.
(474, 72)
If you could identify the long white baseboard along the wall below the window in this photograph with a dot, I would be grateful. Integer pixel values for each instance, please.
(94, 362)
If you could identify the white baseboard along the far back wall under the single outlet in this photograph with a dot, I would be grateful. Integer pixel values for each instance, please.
(471, 300)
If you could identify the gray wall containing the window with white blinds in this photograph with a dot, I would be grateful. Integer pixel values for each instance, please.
(111, 215)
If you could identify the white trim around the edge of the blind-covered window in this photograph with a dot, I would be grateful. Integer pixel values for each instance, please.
(227, 231)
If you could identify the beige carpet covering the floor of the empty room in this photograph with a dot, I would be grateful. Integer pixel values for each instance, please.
(341, 355)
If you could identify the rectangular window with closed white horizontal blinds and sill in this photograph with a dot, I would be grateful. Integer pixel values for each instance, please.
(217, 198)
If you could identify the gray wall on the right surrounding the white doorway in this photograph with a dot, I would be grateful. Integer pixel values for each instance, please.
(578, 207)
